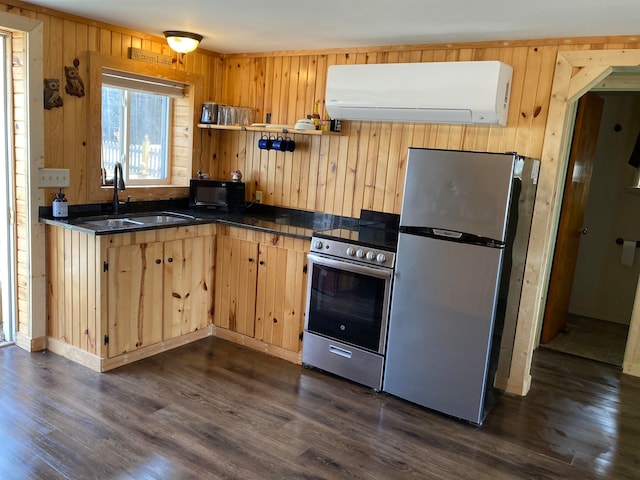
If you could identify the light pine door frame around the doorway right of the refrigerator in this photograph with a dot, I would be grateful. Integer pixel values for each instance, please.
(576, 73)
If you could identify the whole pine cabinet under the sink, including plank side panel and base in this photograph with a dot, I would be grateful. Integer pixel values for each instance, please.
(114, 299)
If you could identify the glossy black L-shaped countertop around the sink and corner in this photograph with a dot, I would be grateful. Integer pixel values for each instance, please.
(283, 221)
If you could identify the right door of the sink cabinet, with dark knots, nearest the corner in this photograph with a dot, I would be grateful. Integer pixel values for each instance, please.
(188, 285)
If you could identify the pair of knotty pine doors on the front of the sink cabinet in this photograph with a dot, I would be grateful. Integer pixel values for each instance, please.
(157, 291)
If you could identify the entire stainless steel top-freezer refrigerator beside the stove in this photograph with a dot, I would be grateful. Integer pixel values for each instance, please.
(464, 231)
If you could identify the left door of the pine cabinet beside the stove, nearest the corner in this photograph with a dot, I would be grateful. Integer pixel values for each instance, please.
(236, 277)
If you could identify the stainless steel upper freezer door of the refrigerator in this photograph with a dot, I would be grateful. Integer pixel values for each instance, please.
(465, 192)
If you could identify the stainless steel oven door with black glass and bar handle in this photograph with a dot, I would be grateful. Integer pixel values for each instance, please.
(348, 302)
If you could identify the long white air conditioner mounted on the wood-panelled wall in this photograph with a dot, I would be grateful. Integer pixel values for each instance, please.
(438, 92)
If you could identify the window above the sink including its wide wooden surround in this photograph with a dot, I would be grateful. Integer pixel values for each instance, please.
(181, 90)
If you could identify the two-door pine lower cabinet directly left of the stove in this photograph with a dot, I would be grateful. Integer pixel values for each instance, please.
(261, 286)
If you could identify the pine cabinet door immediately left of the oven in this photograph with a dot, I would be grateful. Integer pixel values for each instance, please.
(280, 302)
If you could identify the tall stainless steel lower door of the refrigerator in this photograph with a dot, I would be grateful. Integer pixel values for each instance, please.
(440, 329)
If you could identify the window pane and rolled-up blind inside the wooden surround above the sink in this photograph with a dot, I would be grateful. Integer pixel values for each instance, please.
(136, 121)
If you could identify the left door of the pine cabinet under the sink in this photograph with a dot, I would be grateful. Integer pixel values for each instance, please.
(134, 297)
